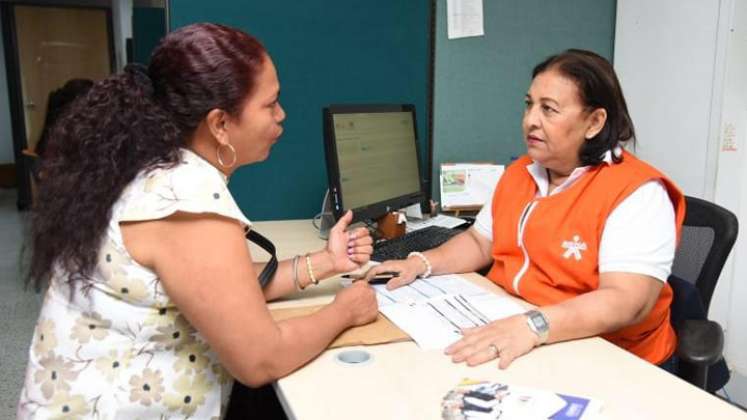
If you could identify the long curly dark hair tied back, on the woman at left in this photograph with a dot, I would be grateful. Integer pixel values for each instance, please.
(131, 122)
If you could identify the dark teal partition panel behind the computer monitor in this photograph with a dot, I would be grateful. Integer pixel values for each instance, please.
(326, 51)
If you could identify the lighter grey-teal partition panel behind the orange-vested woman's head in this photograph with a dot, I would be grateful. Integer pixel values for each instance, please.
(480, 82)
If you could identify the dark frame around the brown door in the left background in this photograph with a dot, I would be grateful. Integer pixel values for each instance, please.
(15, 93)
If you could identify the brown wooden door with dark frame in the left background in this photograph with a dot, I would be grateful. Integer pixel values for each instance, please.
(50, 45)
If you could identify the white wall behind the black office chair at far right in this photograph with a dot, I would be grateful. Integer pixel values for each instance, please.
(683, 67)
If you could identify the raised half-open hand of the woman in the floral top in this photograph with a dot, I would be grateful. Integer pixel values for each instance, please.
(348, 250)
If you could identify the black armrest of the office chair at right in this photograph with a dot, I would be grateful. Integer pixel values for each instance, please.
(701, 342)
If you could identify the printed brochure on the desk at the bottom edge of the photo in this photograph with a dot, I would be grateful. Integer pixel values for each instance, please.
(472, 400)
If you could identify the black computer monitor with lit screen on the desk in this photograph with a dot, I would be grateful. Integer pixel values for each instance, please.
(372, 159)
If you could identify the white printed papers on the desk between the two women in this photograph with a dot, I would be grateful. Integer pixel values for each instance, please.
(433, 311)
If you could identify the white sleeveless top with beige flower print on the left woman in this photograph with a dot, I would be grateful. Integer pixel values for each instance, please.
(119, 348)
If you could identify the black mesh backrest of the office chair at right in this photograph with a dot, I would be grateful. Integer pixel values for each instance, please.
(708, 234)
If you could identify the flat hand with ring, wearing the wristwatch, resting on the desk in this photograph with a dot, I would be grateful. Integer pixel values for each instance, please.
(504, 339)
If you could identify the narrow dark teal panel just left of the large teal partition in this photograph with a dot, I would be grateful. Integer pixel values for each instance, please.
(148, 27)
